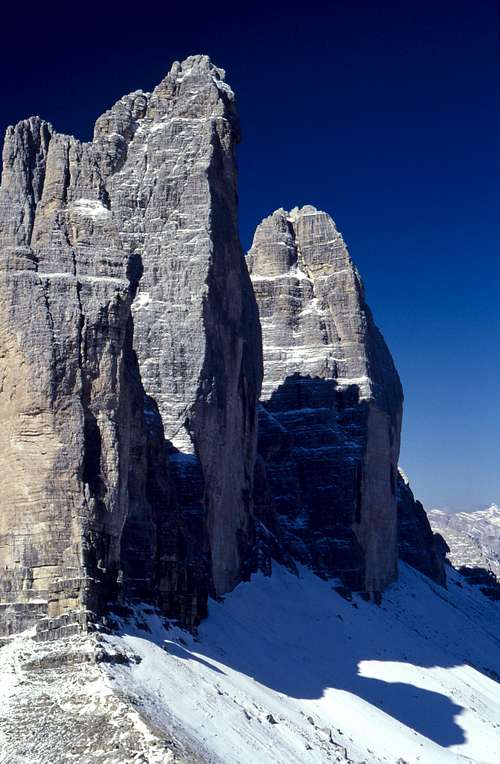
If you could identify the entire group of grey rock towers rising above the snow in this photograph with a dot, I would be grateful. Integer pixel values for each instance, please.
(131, 368)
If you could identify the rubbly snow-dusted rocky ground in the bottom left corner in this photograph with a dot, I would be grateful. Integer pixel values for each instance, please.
(70, 712)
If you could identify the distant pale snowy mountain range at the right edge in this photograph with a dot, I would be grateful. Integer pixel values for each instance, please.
(473, 537)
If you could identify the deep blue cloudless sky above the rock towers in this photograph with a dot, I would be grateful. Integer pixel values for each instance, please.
(386, 114)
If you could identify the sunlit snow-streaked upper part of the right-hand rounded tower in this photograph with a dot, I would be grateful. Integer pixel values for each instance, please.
(305, 246)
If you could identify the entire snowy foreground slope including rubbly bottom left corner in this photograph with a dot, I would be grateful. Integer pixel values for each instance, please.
(284, 671)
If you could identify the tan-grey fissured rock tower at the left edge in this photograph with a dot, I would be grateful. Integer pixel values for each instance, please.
(65, 398)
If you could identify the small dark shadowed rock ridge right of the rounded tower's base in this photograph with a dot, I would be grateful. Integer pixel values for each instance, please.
(418, 545)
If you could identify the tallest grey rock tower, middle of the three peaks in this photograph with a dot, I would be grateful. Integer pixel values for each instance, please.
(196, 332)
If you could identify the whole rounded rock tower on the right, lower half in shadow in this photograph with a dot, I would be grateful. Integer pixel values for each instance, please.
(331, 402)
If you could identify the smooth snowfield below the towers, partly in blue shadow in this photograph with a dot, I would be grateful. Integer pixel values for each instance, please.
(405, 680)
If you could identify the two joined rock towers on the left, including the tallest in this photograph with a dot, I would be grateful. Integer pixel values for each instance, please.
(144, 213)
